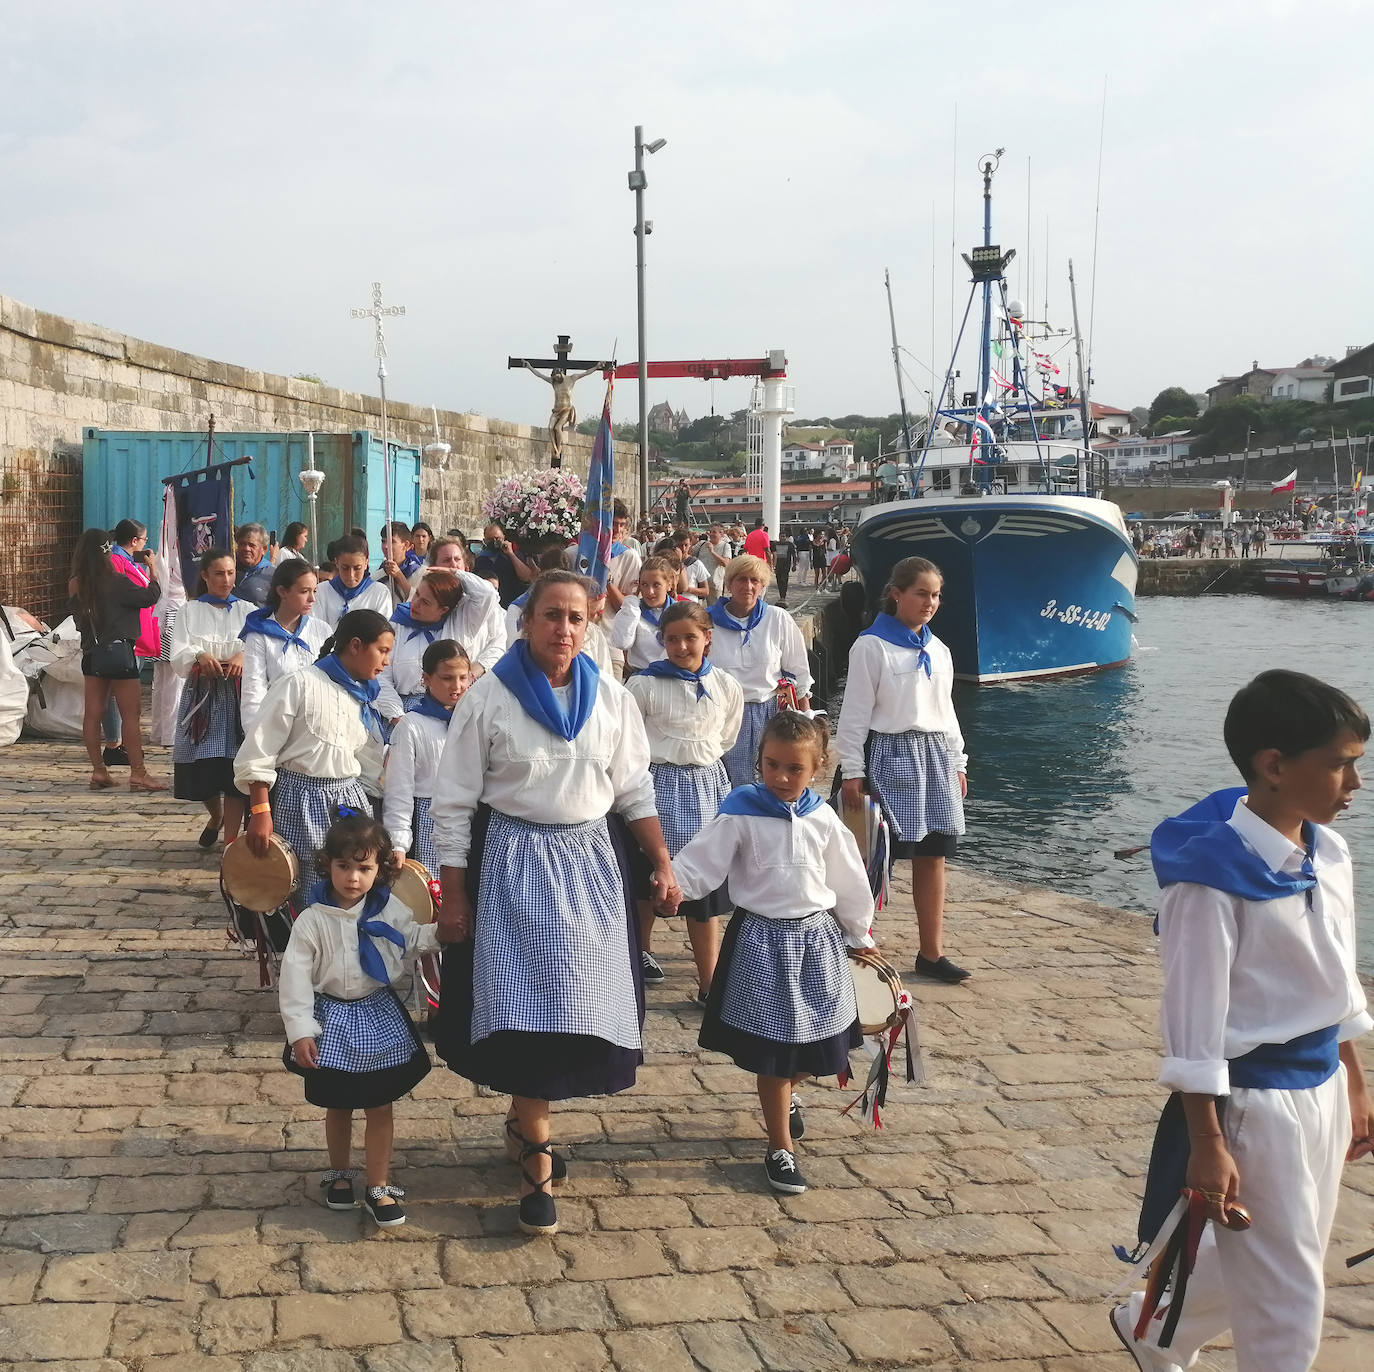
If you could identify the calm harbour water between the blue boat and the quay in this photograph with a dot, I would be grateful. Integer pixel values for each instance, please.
(1064, 774)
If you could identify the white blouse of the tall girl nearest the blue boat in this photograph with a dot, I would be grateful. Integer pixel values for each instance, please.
(890, 693)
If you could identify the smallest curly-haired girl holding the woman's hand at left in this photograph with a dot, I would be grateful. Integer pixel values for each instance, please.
(348, 1033)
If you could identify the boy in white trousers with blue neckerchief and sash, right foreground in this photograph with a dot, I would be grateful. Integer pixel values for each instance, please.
(1261, 1011)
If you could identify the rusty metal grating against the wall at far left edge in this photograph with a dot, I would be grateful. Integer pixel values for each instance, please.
(41, 523)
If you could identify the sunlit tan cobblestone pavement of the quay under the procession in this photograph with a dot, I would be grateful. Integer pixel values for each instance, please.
(160, 1169)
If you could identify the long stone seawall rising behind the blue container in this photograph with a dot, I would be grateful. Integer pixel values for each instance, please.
(61, 376)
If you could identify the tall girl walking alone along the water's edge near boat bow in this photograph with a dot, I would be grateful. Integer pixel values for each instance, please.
(901, 735)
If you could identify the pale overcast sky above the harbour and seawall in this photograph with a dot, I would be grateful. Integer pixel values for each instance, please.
(230, 182)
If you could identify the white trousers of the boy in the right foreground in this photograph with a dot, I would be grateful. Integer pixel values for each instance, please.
(1266, 1283)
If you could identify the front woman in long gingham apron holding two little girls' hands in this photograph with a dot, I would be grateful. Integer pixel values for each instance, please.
(542, 995)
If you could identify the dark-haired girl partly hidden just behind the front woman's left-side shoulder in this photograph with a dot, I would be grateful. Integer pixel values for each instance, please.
(417, 744)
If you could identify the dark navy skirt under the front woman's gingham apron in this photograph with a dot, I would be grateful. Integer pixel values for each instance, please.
(539, 1066)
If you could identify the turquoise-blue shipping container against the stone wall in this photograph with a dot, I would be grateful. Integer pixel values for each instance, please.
(123, 479)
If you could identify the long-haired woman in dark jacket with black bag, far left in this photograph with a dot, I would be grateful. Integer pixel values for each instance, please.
(108, 610)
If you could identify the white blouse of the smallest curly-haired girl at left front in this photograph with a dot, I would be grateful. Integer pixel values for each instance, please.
(322, 957)
